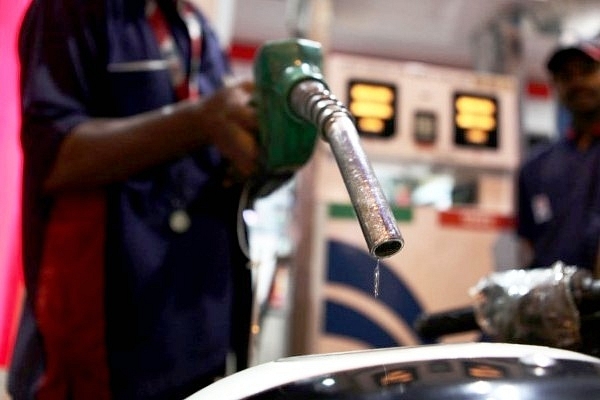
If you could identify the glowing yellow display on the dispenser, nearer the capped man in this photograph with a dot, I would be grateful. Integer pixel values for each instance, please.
(475, 121)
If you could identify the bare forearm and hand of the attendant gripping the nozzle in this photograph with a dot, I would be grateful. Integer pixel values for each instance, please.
(101, 151)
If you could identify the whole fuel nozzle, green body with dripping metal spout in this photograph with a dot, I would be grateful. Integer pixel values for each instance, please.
(295, 106)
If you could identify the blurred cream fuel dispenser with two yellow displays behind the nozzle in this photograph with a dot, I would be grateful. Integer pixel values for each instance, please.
(444, 143)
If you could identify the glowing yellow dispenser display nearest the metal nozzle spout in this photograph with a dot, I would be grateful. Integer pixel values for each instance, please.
(373, 106)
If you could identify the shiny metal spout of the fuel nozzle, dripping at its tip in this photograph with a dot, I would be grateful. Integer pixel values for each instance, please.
(311, 100)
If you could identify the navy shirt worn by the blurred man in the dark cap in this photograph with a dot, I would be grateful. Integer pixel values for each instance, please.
(559, 204)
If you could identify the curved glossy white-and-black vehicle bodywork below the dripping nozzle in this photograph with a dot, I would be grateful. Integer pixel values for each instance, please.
(482, 371)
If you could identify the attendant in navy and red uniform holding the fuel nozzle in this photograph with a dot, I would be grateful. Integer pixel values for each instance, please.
(135, 154)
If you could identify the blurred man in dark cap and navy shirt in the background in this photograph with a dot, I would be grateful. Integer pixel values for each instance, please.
(558, 196)
